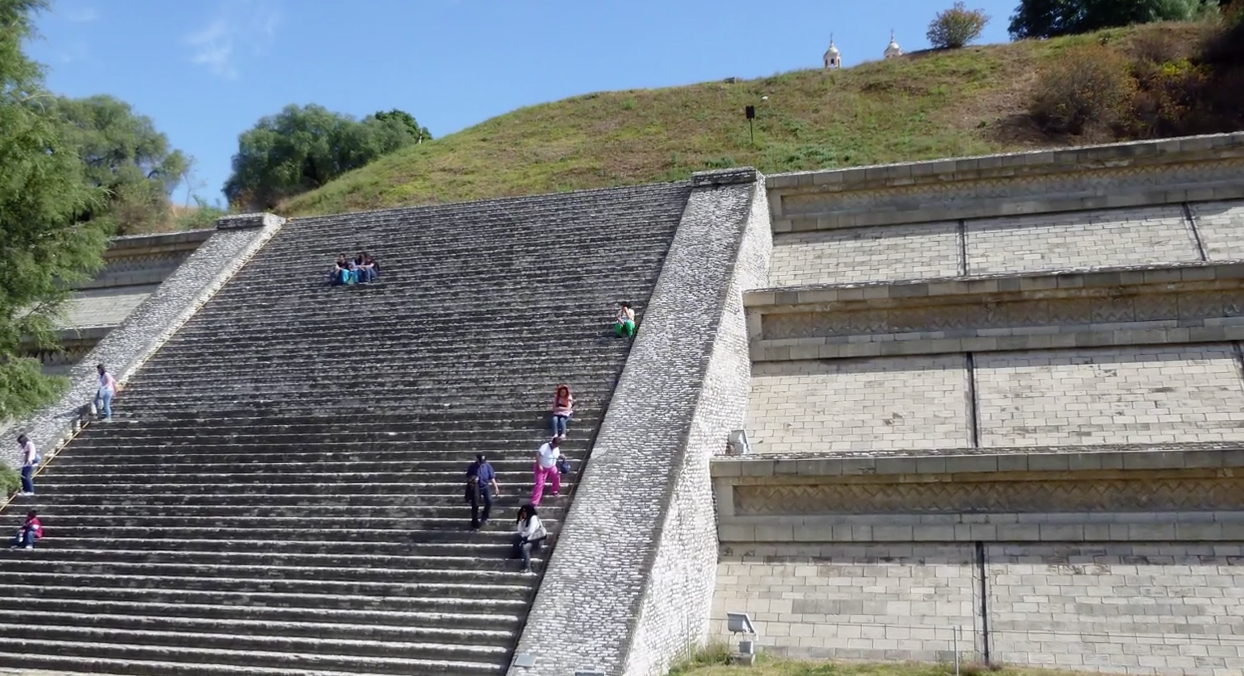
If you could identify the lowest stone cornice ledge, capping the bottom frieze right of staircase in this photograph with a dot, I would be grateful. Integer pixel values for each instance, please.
(945, 465)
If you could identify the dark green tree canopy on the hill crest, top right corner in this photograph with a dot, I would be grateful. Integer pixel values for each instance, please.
(1056, 18)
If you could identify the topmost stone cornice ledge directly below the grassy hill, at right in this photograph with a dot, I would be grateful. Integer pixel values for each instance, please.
(1169, 151)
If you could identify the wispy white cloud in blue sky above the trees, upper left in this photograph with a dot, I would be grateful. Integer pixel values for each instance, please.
(215, 45)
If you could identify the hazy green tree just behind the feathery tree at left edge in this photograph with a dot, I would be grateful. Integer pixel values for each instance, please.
(124, 154)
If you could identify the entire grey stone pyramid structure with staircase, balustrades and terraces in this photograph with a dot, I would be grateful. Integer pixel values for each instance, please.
(993, 410)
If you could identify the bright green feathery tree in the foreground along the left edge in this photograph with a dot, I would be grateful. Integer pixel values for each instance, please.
(47, 235)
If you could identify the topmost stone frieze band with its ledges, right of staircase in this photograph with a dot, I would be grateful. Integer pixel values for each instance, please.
(1100, 177)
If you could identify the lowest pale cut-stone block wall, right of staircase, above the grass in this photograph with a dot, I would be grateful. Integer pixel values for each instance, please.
(1151, 608)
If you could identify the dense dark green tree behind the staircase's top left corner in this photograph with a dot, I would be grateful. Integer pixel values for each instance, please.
(305, 148)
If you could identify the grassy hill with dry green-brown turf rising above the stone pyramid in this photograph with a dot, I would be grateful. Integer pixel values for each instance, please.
(922, 106)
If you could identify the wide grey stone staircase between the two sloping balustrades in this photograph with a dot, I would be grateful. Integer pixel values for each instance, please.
(282, 489)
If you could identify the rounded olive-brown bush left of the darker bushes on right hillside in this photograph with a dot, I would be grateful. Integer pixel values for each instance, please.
(1083, 90)
